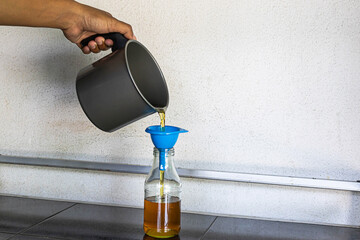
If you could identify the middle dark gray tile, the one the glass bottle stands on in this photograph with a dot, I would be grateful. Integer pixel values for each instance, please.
(85, 221)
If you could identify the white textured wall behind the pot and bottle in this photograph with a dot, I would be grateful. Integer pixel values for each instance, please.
(267, 87)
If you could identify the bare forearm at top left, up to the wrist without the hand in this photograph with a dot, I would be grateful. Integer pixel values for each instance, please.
(39, 13)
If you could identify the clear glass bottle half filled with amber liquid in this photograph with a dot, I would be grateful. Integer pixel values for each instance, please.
(162, 197)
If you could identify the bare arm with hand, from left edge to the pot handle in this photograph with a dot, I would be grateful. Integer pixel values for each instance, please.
(77, 21)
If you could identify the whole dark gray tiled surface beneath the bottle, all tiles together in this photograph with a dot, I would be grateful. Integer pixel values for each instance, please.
(32, 219)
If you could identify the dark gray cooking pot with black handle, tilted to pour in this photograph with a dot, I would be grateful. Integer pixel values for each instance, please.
(123, 86)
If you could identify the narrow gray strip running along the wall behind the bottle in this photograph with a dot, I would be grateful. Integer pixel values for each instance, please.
(189, 173)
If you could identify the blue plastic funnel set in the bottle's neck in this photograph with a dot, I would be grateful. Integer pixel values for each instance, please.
(164, 139)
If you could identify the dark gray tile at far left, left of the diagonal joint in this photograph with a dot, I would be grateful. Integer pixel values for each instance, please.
(19, 213)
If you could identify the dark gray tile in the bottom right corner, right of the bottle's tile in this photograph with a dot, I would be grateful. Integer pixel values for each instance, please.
(235, 228)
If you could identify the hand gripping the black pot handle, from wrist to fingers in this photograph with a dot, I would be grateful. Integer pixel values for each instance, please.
(89, 21)
